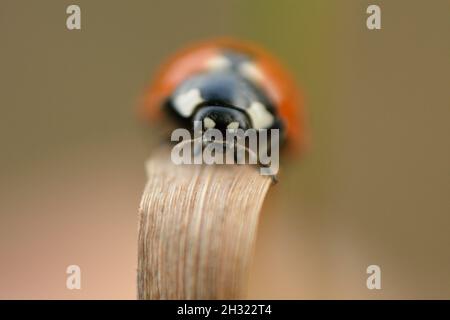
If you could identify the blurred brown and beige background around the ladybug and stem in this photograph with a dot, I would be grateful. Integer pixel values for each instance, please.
(373, 189)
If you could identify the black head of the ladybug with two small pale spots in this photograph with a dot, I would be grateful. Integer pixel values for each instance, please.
(222, 118)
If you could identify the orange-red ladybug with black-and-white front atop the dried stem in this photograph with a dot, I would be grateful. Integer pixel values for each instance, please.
(227, 84)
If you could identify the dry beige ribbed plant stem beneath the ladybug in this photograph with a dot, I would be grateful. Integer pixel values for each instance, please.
(197, 226)
